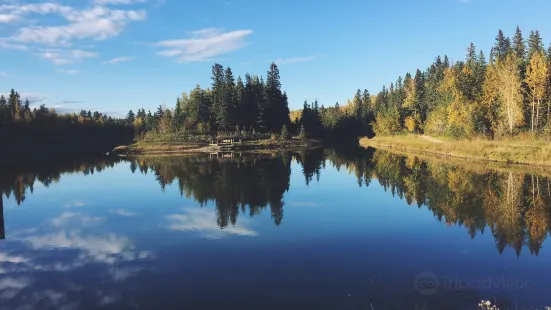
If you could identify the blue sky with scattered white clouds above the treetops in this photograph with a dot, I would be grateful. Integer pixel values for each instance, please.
(116, 55)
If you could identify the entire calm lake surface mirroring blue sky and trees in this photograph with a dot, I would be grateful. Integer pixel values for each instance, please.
(319, 230)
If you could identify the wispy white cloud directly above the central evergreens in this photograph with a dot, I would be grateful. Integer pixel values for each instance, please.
(204, 45)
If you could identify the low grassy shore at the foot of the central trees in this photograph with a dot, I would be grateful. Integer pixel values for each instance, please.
(256, 145)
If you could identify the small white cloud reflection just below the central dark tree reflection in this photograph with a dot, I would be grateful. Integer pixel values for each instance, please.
(204, 220)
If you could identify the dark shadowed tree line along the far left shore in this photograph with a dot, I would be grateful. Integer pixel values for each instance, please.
(26, 131)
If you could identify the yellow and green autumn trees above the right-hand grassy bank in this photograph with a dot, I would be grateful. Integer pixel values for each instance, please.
(507, 94)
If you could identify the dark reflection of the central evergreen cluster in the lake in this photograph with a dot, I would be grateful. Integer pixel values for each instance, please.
(232, 184)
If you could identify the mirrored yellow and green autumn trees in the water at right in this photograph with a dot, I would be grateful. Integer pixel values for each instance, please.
(514, 206)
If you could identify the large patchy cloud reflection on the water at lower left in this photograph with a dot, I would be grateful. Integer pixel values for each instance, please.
(27, 282)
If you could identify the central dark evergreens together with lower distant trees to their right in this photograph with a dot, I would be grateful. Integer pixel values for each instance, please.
(251, 107)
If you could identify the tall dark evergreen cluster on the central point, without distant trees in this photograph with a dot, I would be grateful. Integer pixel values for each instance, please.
(249, 104)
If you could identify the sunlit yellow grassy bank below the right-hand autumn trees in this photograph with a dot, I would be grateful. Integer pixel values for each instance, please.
(528, 152)
